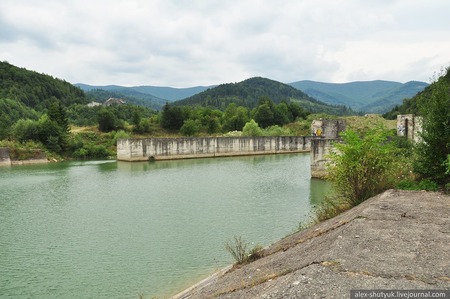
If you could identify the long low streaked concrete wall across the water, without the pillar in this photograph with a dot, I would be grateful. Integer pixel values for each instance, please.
(182, 148)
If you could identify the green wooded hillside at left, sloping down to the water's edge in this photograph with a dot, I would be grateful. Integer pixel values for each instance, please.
(38, 111)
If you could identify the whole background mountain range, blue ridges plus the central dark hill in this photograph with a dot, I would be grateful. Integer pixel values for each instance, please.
(366, 96)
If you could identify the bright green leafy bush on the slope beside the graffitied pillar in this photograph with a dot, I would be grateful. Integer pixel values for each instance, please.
(362, 165)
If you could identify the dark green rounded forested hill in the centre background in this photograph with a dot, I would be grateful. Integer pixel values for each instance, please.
(249, 92)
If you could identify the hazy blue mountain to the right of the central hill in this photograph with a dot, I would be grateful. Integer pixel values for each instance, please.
(367, 96)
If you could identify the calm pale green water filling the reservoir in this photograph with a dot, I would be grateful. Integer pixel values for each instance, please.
(110, 229)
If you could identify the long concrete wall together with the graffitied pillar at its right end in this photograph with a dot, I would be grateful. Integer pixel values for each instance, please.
(325, 132)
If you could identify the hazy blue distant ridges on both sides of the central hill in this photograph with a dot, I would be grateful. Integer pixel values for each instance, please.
(378, 96)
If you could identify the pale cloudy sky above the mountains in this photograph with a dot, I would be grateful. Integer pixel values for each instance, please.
(208, 42)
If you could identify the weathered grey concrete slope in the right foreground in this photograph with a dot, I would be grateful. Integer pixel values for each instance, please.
(396, 240)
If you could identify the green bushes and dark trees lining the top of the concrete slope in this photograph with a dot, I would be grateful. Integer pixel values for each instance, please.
(371, 159)
